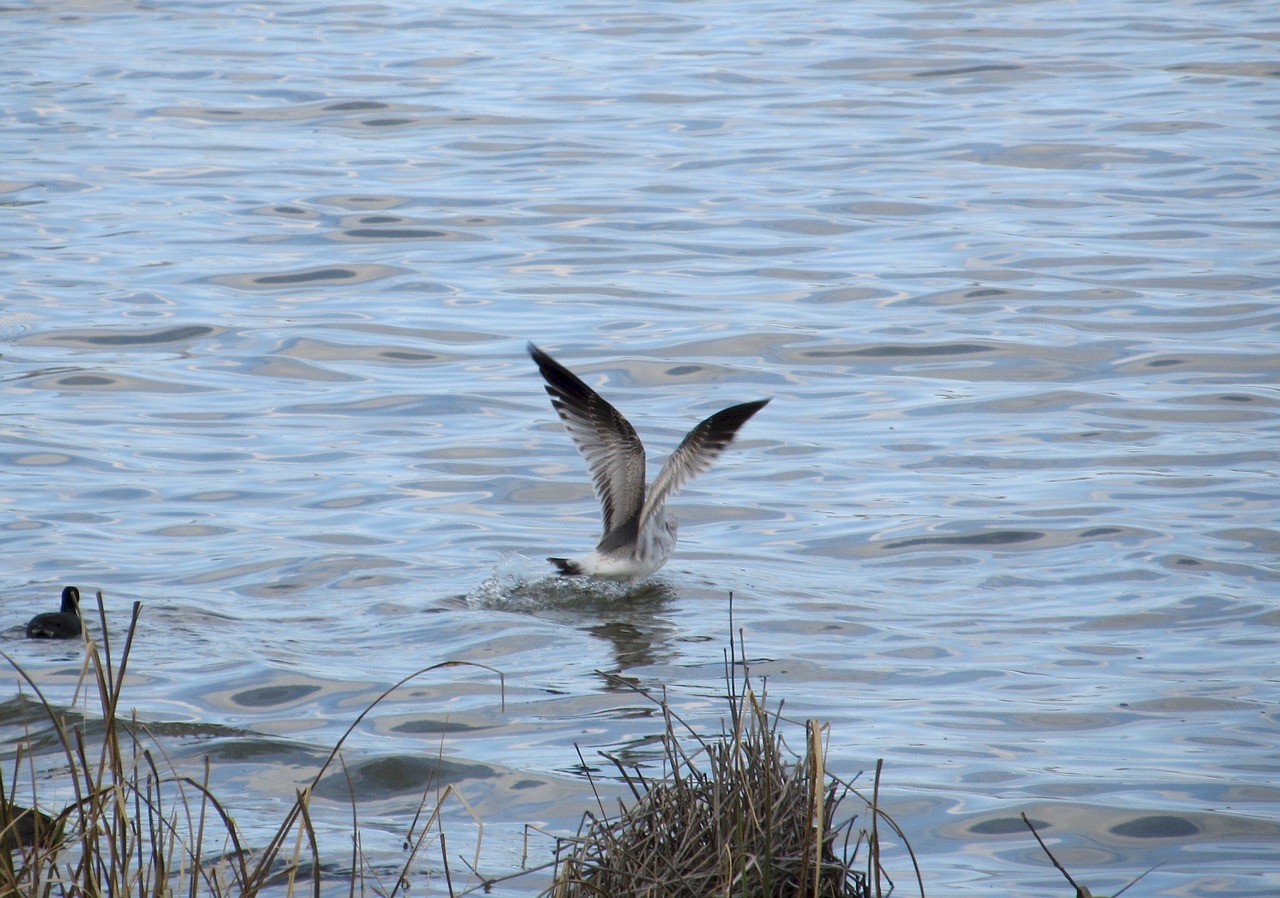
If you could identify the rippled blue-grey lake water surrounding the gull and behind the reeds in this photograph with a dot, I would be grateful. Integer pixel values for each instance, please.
(1009, 272)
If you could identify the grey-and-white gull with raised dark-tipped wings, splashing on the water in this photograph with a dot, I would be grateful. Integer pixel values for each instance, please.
(639, 534)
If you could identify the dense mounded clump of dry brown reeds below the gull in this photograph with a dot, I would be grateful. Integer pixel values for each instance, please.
(737, 814)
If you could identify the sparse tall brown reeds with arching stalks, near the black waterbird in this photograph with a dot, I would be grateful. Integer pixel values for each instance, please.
(138, 827)
